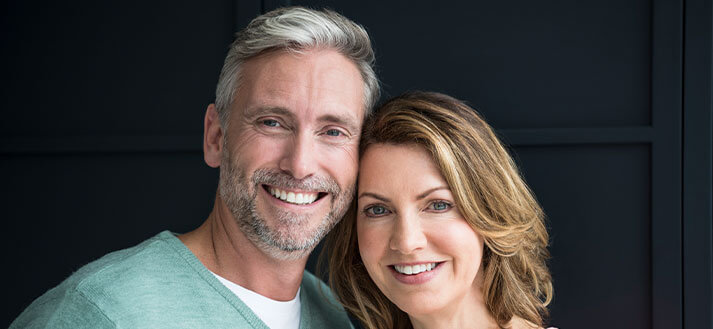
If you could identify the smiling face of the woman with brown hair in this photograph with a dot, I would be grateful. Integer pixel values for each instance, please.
(415, 244)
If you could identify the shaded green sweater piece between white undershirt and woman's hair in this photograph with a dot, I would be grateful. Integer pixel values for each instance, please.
(319, 304)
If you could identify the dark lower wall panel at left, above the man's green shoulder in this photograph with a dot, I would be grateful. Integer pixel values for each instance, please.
(63, 211)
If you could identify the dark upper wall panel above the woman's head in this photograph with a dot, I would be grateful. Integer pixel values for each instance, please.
(542, 64)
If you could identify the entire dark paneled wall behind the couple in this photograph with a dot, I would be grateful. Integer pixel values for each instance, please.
(606, 105)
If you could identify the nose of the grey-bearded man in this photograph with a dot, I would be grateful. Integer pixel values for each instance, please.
(299, 158)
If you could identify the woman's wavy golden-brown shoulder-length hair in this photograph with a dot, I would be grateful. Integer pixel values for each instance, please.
(490, 194)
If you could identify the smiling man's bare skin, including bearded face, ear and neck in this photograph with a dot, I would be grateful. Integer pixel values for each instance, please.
(294, 124)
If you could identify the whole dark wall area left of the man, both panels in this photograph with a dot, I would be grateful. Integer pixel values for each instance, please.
(100, 135)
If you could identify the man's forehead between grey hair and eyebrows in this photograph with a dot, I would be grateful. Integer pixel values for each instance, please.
(322, 86)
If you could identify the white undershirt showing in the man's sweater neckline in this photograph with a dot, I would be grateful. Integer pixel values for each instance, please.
(275, 314)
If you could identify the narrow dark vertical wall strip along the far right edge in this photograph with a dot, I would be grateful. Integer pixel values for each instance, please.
(698, 166)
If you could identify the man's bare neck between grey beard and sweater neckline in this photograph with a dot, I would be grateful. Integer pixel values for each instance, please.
(225, 250)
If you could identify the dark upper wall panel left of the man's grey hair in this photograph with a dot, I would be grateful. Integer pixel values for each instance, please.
(92, 68)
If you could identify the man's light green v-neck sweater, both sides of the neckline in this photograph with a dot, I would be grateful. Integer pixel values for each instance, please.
(161, 284)
